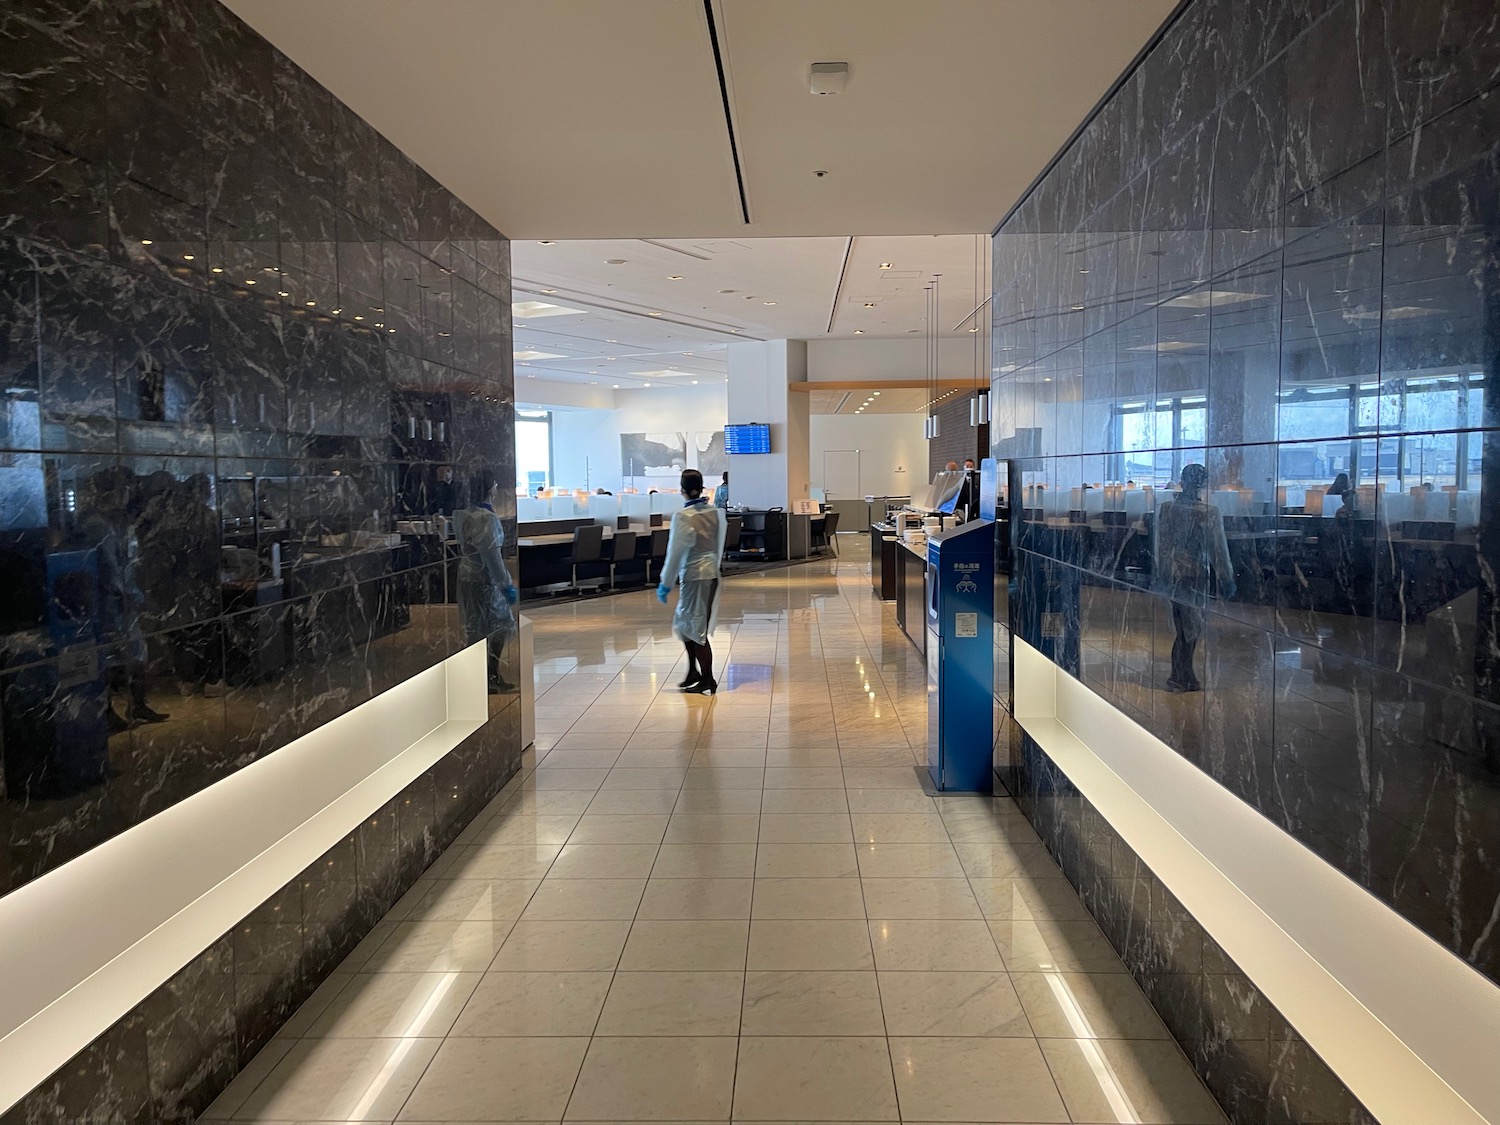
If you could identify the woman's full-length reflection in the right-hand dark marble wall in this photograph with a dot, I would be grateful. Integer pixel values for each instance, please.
(1192, 554)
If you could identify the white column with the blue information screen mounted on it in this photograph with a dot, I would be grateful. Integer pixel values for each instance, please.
(761, 374)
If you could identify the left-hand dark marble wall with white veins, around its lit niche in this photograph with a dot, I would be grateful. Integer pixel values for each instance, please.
(239, 335)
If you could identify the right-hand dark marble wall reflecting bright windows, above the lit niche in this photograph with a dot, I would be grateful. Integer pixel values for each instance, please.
(1276, 253)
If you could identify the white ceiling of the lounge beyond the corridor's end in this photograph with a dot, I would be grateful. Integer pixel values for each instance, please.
(670, 307)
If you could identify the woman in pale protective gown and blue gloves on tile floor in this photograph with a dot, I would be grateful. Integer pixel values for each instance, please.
(694, 553)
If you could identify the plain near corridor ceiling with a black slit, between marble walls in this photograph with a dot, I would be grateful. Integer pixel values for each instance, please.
(602, 119)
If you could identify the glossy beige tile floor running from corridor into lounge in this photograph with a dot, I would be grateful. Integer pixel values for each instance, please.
(740, 908)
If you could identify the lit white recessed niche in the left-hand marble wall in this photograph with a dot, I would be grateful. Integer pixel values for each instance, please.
(85, 944)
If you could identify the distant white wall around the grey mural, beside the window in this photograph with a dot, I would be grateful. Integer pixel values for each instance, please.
(587, 442)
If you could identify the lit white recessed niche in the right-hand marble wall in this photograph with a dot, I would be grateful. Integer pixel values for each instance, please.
(1405, 1024)
